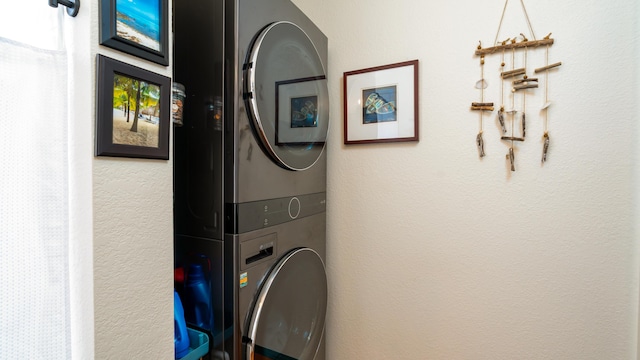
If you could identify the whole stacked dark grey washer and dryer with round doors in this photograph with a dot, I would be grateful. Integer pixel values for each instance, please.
(250, 176)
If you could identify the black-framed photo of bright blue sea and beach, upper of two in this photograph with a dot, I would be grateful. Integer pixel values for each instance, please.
(147, 39)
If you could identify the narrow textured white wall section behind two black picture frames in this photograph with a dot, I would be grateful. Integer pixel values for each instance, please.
(133, 243)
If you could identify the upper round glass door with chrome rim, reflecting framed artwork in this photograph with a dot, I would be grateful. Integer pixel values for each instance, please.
(285, 88)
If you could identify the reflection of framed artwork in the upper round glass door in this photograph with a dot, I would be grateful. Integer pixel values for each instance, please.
(301, 111)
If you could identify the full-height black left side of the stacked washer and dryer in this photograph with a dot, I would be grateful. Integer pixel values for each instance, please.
(198, 64)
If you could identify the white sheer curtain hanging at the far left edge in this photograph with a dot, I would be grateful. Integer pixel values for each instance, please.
(34, 212)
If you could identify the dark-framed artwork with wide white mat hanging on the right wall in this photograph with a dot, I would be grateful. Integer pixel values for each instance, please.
(381, 104)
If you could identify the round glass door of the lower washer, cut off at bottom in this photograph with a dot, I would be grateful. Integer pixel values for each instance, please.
(287, 321)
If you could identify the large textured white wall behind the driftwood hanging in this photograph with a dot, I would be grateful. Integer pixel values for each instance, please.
(435, 254)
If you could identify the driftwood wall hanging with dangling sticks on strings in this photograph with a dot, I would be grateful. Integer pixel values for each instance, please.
(516, 84)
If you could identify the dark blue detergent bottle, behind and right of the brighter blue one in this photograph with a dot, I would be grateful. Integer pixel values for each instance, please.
(198, 298)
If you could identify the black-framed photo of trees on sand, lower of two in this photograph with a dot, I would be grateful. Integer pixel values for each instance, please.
(125, 91)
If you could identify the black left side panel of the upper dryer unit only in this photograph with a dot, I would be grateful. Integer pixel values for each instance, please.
(198, 144)
